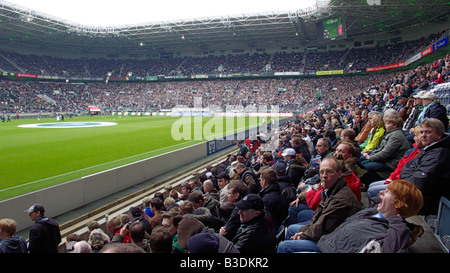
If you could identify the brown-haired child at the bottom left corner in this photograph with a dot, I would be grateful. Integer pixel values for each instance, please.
(10, 242)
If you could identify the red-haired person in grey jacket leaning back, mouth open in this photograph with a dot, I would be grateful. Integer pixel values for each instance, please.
(388, 232)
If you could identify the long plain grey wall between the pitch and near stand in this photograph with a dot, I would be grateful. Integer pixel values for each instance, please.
(68, 196)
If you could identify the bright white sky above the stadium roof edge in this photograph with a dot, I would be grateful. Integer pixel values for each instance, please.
(115, 13)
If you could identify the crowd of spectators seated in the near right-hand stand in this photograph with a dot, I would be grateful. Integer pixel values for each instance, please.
(300, 190)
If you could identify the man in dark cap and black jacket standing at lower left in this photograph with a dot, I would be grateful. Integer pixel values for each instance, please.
(44, 236)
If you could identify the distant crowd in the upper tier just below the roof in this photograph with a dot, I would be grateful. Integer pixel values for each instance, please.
(256, 63)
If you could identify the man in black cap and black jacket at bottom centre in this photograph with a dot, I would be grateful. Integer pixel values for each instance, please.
(254, 234)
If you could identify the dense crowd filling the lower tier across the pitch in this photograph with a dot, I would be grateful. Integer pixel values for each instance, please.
(290, 94)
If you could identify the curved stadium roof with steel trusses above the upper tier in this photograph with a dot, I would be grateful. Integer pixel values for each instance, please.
(25, 27)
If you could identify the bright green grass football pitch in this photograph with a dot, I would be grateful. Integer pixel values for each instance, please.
(35, 158)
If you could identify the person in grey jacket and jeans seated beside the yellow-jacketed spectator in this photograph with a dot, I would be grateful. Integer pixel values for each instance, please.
(388, 153)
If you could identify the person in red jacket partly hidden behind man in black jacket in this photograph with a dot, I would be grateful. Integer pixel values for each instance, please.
(376, 187)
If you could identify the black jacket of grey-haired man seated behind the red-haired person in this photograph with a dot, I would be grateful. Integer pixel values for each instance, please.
(430, 172)
